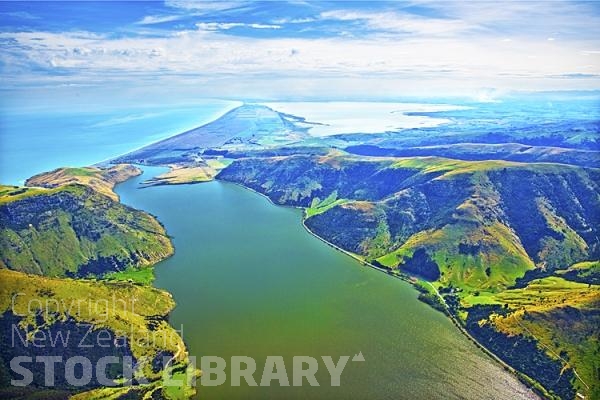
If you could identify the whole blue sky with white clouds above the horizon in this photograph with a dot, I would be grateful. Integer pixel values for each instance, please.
(179, 50)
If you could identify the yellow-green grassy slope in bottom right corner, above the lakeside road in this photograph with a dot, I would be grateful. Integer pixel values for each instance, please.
(562, 316)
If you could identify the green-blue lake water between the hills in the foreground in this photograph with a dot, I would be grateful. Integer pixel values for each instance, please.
(250, 281)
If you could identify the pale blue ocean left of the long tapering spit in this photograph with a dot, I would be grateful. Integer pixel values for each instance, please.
(34, 141)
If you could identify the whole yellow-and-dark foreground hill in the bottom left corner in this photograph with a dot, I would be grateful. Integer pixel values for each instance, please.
(83, 314)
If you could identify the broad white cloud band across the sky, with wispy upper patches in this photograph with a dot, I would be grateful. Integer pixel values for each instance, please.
(418, 54)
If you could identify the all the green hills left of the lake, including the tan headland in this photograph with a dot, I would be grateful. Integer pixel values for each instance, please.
(71, 225)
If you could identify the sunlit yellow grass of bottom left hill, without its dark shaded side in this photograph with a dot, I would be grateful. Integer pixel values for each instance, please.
(110, 308)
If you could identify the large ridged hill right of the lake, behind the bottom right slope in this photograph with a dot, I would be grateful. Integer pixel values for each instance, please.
(462, 212)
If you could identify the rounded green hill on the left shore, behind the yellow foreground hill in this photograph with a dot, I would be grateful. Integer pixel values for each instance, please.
(72, 229)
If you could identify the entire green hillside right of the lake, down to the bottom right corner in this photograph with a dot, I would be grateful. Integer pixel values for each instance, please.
(479, 231)
